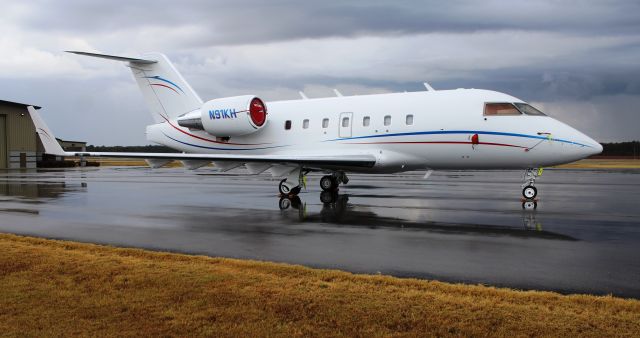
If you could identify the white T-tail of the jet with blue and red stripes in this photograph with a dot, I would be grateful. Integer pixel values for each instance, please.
(165, 91)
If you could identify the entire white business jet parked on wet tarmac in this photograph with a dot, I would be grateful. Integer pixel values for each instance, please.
(384, 133)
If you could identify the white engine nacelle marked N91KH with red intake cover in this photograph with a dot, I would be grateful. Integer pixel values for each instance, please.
(229, 116)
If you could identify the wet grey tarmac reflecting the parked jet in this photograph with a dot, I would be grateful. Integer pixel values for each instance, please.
(583, 236)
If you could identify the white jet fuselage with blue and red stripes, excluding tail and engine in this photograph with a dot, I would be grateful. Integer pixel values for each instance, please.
(440, 135)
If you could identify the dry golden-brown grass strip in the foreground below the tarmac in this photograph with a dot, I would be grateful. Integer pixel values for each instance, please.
(51, 288)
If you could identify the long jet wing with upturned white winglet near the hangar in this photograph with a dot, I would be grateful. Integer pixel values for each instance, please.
(226, 161)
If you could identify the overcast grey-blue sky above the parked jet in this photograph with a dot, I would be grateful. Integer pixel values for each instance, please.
(577, 60)
